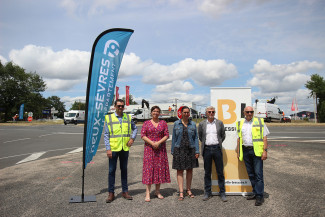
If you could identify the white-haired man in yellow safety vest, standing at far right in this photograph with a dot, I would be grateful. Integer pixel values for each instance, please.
(252, 148)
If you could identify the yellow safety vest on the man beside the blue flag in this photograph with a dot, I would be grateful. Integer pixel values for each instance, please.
(119, 134)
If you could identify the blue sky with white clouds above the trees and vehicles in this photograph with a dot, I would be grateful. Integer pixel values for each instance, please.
(179, 48)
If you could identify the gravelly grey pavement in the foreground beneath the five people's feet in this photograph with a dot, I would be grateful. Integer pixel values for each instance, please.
(294, 186)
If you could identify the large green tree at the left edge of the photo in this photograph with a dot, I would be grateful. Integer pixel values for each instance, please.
(18, 87)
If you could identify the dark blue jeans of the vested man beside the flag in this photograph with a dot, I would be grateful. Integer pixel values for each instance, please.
(123, 155)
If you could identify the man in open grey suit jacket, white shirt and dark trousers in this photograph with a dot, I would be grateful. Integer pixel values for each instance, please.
(212, 134)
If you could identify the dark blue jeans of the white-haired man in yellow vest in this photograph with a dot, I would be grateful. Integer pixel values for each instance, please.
(254, 167)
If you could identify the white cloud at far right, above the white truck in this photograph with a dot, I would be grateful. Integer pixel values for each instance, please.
(278, 78)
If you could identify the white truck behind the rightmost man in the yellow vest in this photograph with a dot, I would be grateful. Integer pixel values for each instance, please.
(267, 110)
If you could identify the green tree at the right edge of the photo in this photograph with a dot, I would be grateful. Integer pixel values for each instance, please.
(316, 85)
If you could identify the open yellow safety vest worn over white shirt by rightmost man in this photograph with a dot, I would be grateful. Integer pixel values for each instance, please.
(257, 136)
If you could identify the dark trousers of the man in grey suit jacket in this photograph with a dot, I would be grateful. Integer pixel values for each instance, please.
(213, 152)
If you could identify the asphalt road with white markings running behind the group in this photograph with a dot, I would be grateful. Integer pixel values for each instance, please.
(21, 144)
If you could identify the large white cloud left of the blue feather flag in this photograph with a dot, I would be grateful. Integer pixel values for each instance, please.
(61, 70)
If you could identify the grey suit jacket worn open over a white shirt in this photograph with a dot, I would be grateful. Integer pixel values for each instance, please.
(221, 134)
